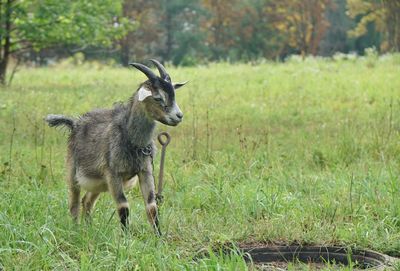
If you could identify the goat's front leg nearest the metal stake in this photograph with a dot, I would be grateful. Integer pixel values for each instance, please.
(146, 180)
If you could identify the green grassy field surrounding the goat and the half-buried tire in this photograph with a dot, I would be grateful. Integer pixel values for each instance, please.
(298, 152)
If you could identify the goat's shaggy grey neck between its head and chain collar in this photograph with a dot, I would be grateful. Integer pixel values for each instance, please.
(140, 126)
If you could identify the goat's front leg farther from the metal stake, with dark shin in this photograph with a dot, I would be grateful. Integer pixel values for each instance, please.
(115, 186)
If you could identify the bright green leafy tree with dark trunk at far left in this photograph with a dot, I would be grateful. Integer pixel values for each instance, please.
(44, 23)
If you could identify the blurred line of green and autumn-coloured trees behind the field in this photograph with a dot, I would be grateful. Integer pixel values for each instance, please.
(188, 32)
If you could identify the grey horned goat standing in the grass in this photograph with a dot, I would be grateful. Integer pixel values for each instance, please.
(109, 148)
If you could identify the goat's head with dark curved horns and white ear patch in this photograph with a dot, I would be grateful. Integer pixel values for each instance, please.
(158, 95)
